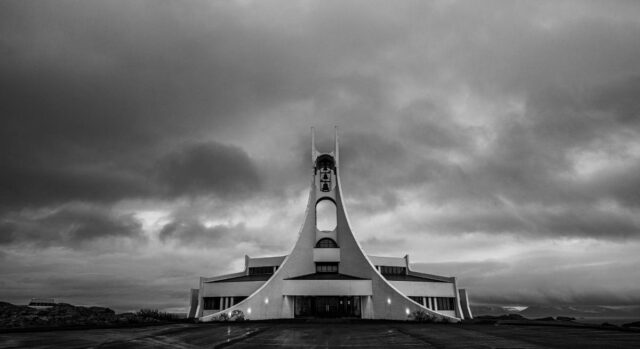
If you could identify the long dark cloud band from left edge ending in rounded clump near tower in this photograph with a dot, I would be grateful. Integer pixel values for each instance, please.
(207, 168)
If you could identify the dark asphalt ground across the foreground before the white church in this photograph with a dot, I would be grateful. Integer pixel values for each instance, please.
(327, 335)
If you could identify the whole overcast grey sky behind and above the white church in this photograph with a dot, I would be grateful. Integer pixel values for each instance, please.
(144, 144)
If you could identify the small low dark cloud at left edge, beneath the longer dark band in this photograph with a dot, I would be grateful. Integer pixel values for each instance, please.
(69, 226)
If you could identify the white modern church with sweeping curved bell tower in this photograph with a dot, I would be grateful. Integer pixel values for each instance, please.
(327, 274)
